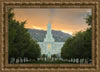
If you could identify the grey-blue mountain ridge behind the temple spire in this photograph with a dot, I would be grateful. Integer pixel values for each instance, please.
(39, 35)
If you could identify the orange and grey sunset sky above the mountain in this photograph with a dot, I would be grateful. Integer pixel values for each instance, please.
(63, 19)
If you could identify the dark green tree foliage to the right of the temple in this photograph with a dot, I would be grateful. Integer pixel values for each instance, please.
(79, 46)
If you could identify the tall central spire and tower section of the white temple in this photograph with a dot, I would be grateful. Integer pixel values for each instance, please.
(49, 40)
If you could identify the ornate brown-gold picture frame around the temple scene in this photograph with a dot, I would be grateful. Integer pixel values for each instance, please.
(5, 67)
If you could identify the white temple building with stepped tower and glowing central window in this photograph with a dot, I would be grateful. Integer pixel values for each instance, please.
(49, 46)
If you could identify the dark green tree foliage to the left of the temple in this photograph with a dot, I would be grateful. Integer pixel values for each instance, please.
(21, 43)
